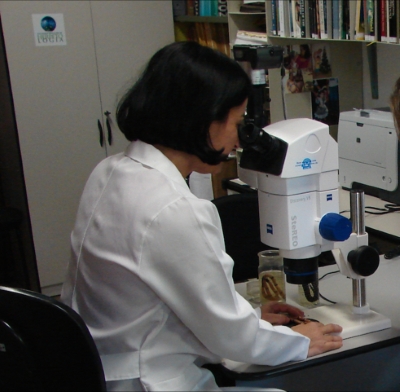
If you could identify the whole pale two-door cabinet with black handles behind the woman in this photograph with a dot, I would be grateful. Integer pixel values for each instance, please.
(60, 94)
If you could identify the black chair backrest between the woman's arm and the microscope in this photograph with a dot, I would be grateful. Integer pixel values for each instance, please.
(241, 226)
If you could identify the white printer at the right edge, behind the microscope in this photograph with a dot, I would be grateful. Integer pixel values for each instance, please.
(369, 153)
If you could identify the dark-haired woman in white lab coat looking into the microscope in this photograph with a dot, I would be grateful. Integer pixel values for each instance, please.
(148, 272)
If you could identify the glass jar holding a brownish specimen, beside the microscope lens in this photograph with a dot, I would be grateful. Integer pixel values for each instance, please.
(271, 276)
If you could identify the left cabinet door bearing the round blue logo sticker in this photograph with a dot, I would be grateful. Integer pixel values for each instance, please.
(56, 101)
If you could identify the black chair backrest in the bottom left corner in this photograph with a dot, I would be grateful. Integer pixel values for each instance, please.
(45, 345)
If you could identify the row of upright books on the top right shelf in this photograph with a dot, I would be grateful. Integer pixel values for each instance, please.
(369, 20)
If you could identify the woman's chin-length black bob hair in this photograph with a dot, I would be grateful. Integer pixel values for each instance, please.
(183, 89)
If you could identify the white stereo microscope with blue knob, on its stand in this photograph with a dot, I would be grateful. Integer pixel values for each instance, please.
(296, 163)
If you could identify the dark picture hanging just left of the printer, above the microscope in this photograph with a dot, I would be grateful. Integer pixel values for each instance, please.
(325, 100)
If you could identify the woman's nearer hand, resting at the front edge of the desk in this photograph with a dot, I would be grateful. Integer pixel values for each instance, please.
(320, 336)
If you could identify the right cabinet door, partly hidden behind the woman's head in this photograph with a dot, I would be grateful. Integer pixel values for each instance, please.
(127, 34)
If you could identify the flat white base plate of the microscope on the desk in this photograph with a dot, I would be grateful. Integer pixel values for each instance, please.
(353, 324)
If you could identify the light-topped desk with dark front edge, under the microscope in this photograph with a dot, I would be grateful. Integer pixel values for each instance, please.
(370, 362)
